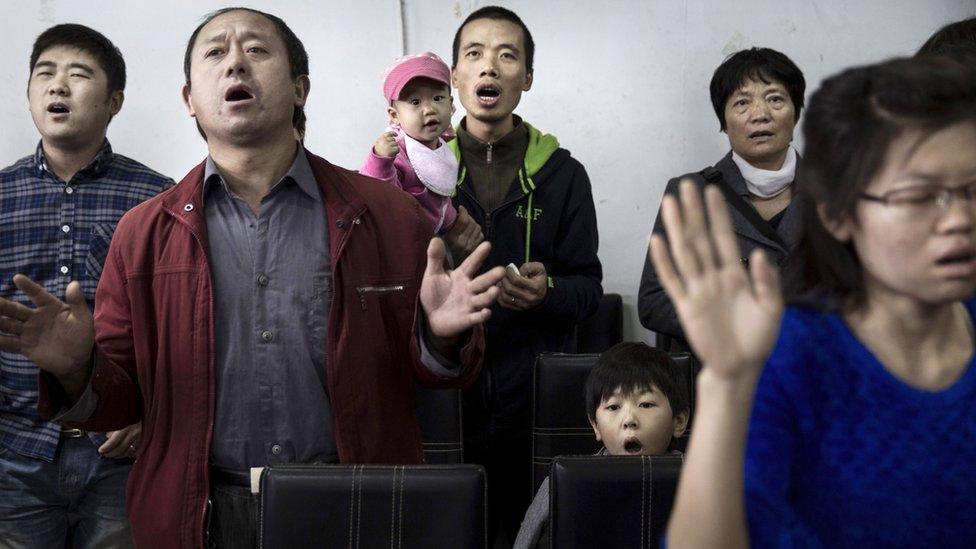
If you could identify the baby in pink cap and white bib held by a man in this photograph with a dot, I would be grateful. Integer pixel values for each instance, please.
(412, 155)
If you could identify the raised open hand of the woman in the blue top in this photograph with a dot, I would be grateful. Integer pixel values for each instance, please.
(730, 317)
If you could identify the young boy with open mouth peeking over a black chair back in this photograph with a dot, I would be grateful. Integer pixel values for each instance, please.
(637, 404)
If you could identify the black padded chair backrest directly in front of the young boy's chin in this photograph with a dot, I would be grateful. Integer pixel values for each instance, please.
(611, 501)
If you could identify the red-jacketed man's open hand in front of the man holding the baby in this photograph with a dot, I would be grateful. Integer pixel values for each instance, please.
(455, 300)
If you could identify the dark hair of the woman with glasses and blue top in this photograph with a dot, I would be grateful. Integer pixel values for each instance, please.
(851, 123)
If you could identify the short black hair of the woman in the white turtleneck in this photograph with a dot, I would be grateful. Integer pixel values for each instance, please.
(759, 64)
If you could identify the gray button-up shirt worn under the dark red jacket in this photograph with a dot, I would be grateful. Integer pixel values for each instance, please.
(272, 294)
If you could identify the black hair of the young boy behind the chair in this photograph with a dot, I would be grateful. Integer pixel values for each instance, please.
(630, 366)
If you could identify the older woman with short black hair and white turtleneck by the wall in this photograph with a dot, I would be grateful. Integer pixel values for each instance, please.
(757, 95)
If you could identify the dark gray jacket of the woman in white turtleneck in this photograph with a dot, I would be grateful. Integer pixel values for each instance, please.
(653, 305)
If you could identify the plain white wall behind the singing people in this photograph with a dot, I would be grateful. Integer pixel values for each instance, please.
(623, 84)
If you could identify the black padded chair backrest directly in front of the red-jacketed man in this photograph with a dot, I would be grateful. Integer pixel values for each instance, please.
(412, 506)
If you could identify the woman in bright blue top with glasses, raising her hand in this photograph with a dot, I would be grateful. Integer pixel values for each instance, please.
(863, 426)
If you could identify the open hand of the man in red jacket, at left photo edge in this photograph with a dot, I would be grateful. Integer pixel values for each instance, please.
(57, 336)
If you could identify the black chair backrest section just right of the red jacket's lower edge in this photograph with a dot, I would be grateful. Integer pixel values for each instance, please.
(439, 416)
